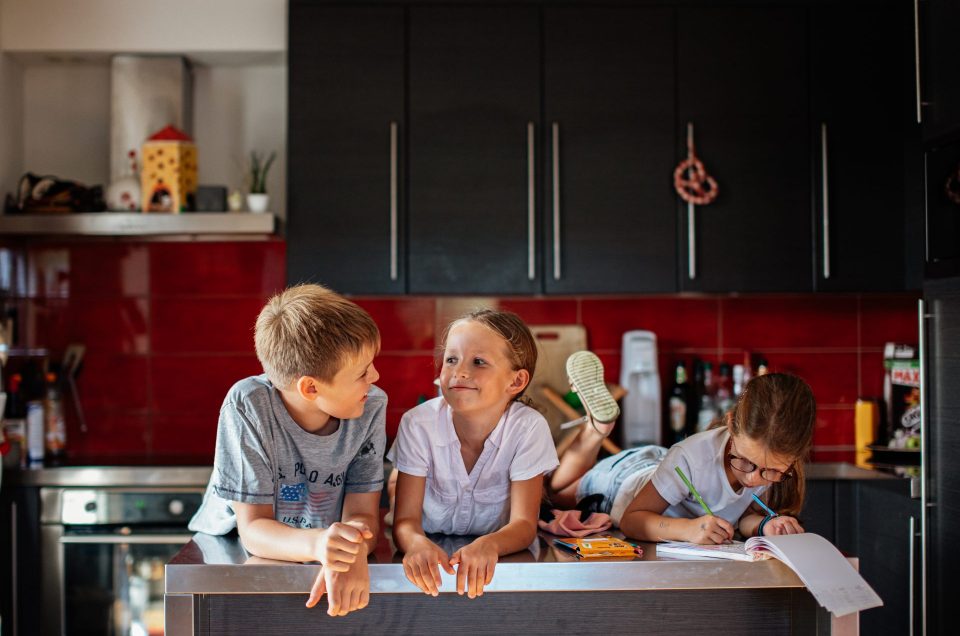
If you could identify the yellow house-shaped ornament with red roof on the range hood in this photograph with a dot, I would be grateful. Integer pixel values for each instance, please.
(169, 176)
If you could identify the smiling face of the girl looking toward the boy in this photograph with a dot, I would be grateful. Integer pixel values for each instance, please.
(476, 373)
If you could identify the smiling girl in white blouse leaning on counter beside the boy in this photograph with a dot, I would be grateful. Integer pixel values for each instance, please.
(472, 462)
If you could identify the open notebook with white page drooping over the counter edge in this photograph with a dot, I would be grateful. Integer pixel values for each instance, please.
(824, 571)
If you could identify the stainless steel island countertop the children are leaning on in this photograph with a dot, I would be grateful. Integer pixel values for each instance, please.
(220, 565)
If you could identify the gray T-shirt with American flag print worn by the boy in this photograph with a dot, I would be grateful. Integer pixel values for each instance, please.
(264, 457)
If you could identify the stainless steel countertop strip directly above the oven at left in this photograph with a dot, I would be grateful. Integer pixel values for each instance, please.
(109, 476)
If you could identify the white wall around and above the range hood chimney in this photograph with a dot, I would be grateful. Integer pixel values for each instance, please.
(55, 115)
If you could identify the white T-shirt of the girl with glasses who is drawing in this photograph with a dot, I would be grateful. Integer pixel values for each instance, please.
(701, 457)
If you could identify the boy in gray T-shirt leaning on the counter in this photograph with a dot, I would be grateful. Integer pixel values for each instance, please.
(298, 468)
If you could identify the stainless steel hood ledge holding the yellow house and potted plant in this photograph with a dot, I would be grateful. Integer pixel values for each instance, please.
(136, 224)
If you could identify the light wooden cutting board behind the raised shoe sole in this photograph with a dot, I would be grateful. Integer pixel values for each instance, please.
(555, 343)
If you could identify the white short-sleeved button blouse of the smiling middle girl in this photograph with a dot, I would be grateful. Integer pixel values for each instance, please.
(454, 502)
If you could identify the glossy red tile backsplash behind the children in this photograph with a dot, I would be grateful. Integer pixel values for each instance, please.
(168, 328)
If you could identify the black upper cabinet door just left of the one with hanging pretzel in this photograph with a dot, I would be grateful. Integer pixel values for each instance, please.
(609, 101)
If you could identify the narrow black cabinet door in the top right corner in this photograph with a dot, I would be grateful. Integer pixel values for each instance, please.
(940, 66)
